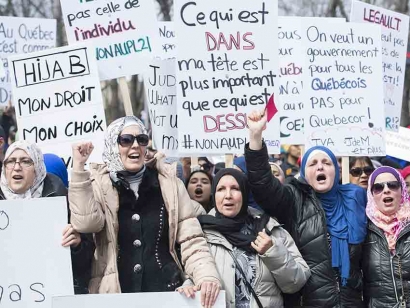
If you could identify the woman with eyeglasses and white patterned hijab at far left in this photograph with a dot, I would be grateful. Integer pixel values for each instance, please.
(24, 176)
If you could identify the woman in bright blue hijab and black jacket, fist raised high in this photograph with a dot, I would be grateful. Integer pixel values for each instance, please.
(326, 220)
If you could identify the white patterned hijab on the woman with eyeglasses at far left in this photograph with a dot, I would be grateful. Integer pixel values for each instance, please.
(36, 156)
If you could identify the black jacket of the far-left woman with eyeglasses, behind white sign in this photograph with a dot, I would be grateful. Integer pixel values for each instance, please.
(81, 257)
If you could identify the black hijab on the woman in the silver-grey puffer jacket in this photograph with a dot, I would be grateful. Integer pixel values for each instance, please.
(231, 228)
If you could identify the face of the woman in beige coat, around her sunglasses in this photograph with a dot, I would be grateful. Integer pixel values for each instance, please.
(133, 156)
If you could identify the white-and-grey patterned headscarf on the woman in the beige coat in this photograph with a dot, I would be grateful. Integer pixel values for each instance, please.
(111, 155)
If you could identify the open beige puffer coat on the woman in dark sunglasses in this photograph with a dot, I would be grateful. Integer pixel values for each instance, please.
(94, 206)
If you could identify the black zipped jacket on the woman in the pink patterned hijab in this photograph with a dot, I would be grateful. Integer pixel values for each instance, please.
(382, 283)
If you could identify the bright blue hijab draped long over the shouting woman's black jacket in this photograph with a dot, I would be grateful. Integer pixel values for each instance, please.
(344, 206)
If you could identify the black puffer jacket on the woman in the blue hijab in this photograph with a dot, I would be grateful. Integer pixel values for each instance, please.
(296, 206)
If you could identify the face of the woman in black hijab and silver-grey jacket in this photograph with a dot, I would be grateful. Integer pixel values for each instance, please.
(228, 196)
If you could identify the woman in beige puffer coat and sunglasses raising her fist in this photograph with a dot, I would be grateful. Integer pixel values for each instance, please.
(138, 214)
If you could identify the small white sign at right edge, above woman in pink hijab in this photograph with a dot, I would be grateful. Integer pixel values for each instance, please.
(398, 143)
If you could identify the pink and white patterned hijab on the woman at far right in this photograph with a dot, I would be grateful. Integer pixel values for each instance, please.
(391, 225)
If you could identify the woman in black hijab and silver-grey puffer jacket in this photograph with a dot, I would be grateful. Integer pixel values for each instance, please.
(249, 260)
